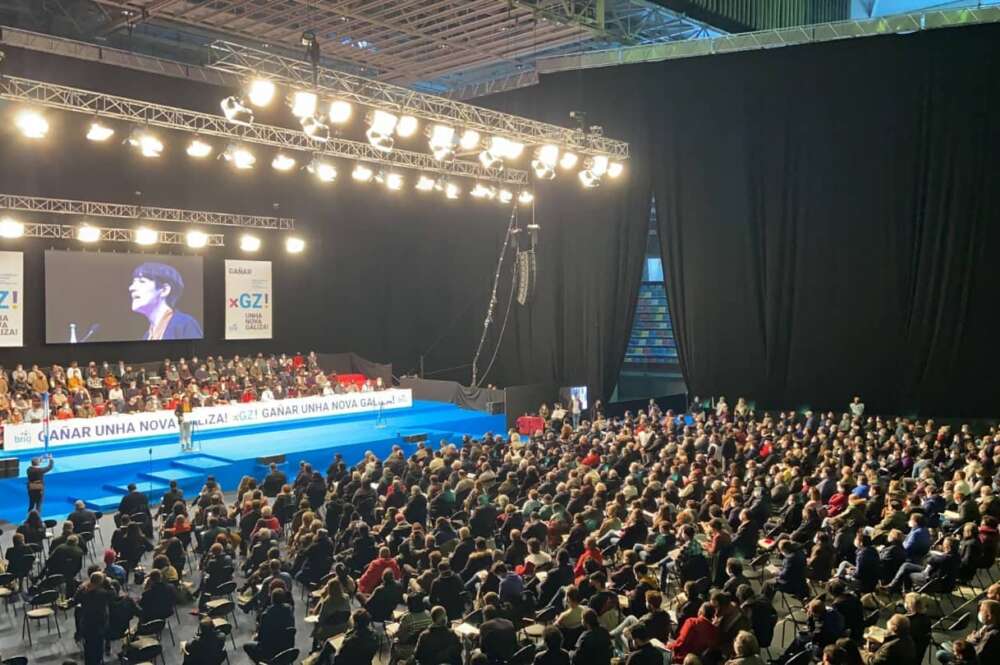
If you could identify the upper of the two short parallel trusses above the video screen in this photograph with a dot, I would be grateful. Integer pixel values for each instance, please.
(125, 211)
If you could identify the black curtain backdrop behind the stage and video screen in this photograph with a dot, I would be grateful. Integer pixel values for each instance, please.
(388, 276)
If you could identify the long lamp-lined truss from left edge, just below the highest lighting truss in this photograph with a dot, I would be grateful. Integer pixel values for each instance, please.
(168, 117)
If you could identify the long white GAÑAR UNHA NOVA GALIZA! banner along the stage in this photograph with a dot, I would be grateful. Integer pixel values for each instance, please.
(227, 416)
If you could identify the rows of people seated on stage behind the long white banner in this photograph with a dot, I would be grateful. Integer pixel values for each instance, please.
(111, 388)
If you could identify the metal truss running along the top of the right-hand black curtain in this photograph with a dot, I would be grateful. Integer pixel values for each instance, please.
(764, 39)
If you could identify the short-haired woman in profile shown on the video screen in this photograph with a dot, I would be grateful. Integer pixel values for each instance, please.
(155, 290)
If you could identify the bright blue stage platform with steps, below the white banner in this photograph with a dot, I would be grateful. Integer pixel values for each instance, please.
(100, 473)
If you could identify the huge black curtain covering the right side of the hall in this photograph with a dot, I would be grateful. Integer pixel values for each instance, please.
(828, 214)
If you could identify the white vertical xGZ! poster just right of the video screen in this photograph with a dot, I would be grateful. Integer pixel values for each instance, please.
(249, 300)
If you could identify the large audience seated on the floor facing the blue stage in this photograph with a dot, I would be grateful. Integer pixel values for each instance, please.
(639, 538)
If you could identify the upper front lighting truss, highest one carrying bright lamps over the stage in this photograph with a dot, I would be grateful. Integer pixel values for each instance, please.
(237, 59)
